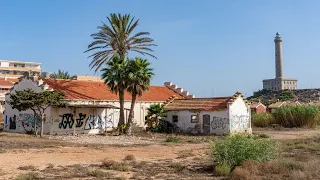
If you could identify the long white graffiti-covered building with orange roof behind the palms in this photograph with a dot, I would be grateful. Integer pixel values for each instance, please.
(92, 108)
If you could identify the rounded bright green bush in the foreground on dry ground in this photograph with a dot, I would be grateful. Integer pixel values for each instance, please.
(235, 149)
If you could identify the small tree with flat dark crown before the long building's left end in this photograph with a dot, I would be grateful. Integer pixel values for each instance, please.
(38, 102)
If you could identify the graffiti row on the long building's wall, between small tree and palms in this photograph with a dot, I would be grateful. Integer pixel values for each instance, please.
(89, 121)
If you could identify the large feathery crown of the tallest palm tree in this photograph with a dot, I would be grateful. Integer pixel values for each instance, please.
(117, 39)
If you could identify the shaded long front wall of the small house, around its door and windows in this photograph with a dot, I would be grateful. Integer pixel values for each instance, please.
(219, 124)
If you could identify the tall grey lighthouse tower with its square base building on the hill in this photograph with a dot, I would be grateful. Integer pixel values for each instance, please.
(279, 82)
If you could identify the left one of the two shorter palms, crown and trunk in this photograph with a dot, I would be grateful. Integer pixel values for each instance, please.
(115, 75)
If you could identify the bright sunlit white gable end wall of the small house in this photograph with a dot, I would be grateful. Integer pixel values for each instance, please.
(240, 116)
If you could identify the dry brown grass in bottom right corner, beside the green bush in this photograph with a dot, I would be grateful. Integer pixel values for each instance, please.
(299, 160)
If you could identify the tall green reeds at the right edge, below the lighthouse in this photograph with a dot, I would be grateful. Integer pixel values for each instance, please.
(297, 116)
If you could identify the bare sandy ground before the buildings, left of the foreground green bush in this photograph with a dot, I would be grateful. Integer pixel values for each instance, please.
(142, 150)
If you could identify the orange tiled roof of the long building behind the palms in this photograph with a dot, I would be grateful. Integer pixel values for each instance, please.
(89, 90)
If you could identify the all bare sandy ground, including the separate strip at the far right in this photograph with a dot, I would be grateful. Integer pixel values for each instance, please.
(75, 150)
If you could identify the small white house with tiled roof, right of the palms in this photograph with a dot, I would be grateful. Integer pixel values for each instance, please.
(219, 115)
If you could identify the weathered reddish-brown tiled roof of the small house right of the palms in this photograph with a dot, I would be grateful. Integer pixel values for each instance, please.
(205, 104)
